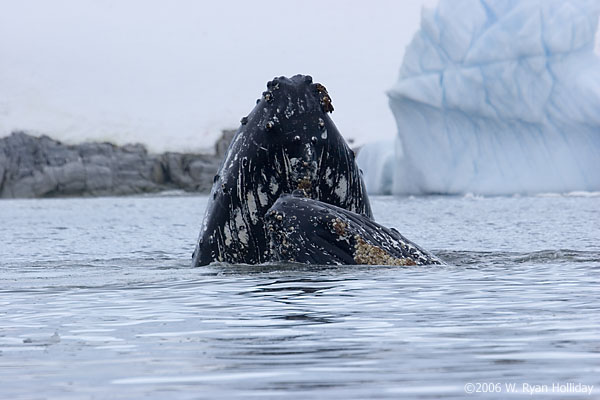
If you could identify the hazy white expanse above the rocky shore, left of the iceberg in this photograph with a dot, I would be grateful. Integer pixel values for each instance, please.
(172, 74)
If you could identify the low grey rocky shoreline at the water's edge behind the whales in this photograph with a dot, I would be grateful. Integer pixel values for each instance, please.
(42, 167)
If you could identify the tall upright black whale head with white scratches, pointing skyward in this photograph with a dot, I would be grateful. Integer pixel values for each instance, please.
(287, 142)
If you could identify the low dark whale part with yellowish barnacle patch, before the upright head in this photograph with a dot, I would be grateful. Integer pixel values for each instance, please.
(308, 231)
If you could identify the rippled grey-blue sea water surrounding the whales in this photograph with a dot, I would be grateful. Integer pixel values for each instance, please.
(98, 301)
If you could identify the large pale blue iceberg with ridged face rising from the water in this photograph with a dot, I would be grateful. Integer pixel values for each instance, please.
(495, 97)
